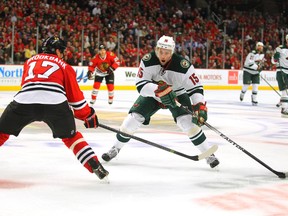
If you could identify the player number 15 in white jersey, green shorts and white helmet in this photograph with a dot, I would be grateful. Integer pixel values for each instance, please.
(162, 78)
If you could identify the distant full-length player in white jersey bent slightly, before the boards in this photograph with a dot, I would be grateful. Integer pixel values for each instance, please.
(253, 65)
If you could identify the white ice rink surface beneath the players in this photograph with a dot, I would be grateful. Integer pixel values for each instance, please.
(40, 176)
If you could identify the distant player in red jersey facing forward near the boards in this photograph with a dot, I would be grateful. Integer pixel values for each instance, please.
(103, 66)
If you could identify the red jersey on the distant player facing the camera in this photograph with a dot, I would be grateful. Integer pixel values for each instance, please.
(101, 65)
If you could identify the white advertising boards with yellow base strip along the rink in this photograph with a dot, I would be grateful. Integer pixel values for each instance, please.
(10, 78)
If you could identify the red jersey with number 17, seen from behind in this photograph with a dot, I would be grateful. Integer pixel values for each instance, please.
(47, 79)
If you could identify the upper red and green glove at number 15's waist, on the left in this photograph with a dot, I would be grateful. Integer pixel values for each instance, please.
(166, 94)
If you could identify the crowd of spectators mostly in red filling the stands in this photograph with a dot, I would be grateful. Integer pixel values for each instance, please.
(217, 36)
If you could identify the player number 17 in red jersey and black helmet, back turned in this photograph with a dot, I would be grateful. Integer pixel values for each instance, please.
(49, 92)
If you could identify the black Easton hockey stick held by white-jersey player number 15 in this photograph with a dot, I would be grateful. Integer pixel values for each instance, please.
(279, 174)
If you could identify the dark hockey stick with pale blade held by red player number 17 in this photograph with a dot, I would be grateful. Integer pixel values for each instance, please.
(195, 157)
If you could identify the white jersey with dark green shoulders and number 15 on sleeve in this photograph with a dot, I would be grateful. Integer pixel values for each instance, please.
(178, 73)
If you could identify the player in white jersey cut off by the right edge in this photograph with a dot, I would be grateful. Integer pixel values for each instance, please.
(280, 57)
